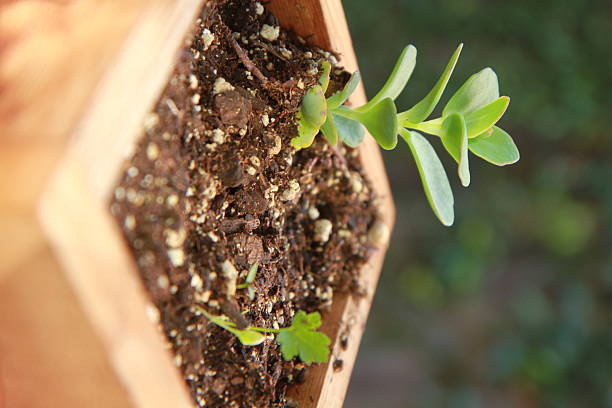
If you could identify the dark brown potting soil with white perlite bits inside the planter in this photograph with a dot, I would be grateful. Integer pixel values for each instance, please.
(214, 185)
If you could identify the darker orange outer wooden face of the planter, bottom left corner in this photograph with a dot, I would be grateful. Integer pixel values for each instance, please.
(49, 354)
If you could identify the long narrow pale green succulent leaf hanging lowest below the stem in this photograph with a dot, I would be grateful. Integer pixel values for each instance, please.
(433, 176)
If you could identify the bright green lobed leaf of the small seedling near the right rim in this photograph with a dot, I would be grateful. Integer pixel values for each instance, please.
(301, 339)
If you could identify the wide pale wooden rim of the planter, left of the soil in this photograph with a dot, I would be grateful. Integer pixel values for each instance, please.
(74, 208)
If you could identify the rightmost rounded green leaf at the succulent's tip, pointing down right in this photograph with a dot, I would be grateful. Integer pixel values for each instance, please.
(495, 146)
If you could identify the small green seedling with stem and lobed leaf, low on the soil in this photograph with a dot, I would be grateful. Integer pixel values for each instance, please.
(300, 339)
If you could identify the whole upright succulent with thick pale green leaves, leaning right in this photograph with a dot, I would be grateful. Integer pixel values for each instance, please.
(467, 124)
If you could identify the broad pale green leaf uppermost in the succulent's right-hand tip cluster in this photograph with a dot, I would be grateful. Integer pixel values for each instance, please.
(479, 90)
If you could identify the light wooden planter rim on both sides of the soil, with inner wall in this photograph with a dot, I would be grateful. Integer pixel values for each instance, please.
(74, 209)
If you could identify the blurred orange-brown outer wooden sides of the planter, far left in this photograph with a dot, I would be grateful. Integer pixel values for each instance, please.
(52, 56)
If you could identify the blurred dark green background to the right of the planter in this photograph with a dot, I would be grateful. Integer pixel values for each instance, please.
(511, 307)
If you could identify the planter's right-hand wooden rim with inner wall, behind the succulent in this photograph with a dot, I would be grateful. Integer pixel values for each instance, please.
(326, 386)
